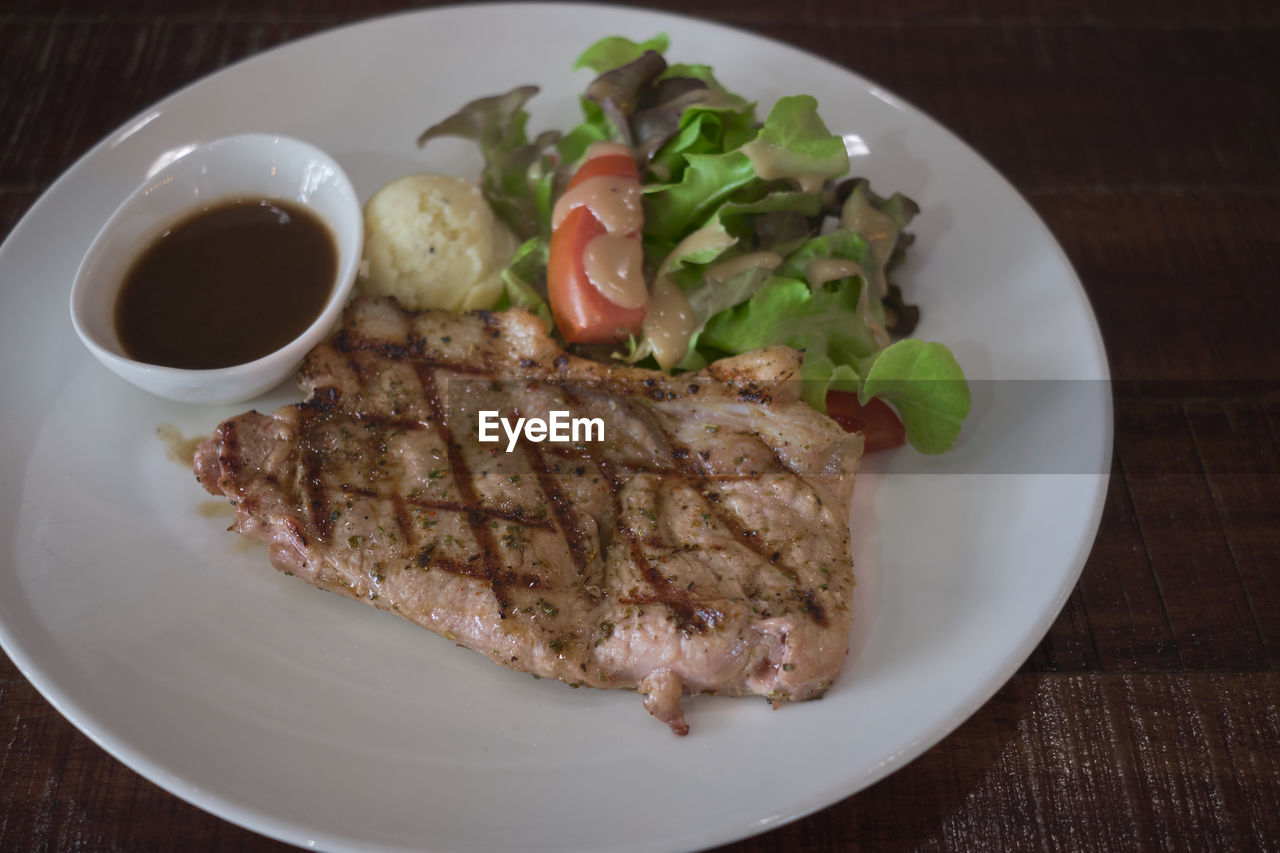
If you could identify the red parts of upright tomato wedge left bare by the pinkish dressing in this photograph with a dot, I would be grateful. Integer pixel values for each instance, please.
(583, 313)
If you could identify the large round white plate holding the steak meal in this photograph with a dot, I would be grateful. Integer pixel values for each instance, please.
(326, 723)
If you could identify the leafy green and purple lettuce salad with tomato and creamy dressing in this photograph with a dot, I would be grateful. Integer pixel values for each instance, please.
(753, 235)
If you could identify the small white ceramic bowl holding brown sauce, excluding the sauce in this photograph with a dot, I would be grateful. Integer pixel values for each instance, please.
(252, 166)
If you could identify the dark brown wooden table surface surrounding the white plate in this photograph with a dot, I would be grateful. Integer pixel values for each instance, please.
(1148, 138)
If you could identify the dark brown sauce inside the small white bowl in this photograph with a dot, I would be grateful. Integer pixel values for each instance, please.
(227, 285)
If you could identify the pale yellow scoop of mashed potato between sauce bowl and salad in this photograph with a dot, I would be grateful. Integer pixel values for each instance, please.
(433, 243)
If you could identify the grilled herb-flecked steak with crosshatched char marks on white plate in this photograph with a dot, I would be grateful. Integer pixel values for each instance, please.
(702, 546)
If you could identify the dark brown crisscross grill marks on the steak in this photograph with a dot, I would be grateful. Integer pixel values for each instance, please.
(671, 460)
